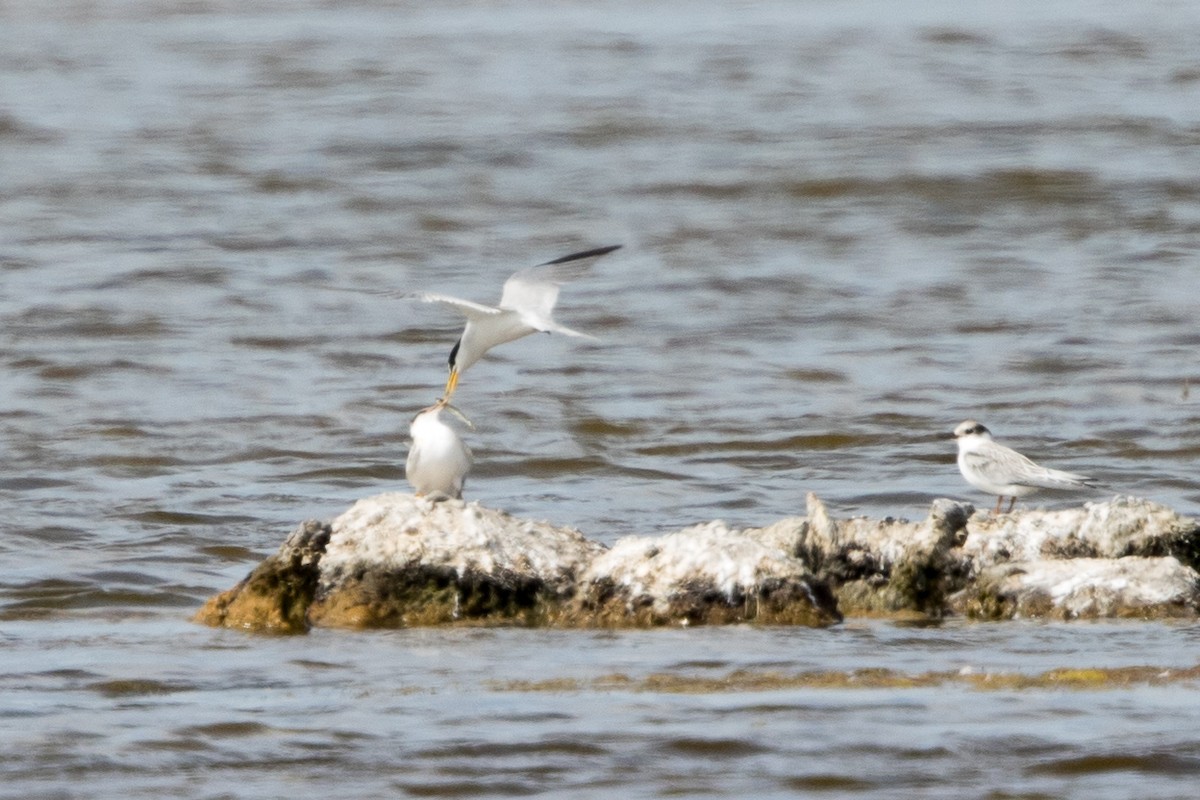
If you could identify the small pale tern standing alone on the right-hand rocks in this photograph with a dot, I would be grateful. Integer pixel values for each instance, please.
(1000, 471)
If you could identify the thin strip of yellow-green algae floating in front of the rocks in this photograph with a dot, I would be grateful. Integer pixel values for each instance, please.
(751, 681)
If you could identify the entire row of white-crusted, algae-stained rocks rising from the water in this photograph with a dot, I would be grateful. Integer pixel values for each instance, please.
(399, 561)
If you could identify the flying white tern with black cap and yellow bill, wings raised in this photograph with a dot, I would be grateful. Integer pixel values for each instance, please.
(526, 306)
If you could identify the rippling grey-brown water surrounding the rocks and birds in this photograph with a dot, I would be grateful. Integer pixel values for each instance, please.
(848, 227)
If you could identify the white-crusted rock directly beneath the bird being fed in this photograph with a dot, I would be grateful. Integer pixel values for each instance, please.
(398, 561)
